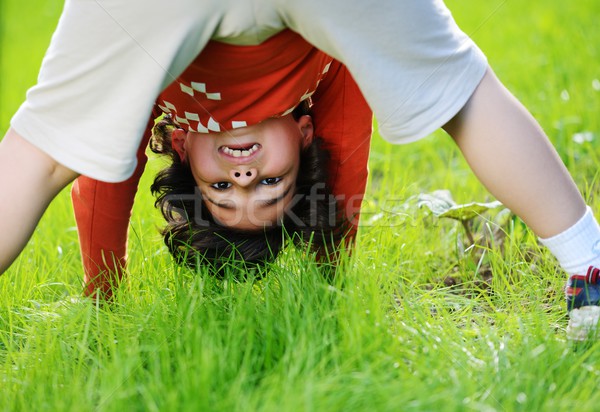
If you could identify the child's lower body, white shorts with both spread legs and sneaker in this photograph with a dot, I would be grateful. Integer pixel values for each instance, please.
(416, 69)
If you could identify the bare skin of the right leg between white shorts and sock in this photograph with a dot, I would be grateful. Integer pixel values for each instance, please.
(512, 157)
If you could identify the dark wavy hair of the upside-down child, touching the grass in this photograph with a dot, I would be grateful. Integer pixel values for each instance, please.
(193, 236)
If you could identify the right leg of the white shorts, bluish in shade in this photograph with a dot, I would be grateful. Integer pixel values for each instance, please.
(413, 64)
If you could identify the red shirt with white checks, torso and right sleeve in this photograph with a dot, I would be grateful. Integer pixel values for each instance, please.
(230, 86)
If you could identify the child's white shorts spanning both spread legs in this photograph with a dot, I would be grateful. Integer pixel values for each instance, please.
(109, 60)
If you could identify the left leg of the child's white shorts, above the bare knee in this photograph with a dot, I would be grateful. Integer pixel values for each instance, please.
(107, 62)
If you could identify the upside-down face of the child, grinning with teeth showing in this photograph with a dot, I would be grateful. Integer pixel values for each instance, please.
(247, 176)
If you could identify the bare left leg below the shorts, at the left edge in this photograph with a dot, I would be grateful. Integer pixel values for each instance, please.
(30, 179)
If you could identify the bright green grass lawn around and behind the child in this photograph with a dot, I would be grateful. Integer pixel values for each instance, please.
(412, 322)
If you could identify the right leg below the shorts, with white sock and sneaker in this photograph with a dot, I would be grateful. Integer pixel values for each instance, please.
(512, 157)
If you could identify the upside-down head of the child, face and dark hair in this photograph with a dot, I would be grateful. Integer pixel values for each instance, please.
(231, 195)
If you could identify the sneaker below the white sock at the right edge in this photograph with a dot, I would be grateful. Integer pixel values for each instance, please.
(583, 305)
